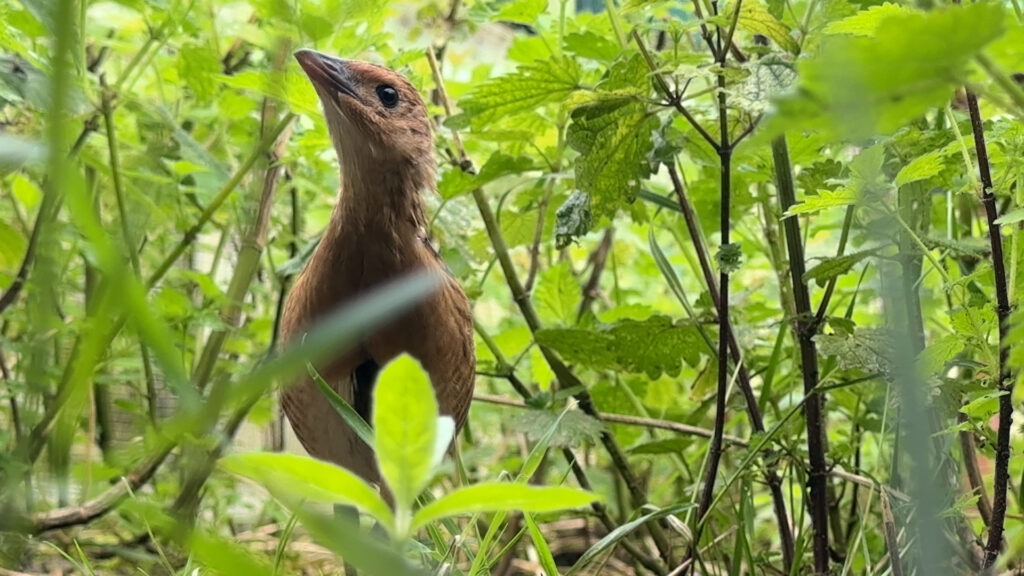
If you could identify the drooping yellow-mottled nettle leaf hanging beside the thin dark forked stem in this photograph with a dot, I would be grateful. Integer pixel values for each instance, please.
(615, 139)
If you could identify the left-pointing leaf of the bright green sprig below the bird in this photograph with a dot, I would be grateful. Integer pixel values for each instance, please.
(292, 478)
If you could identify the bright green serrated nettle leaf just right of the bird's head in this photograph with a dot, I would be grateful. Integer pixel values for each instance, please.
(530, 88)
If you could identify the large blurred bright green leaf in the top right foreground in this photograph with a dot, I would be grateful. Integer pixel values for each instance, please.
(865, 86)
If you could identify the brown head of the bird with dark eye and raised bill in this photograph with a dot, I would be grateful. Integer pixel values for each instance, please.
(374, 115)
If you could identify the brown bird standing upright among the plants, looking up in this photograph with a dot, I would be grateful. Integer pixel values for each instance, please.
(378, 232)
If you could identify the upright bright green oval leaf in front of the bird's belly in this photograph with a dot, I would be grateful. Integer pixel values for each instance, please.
(406, 424)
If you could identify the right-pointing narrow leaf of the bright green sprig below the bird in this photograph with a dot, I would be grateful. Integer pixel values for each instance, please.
(502, 497)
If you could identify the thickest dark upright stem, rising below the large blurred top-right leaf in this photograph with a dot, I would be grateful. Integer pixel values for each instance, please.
(804, 331)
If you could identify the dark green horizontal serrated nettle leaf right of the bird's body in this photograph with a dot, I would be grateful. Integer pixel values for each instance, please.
(652, 347)
